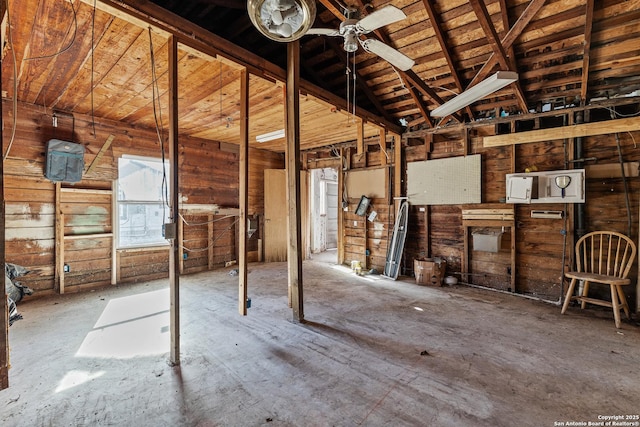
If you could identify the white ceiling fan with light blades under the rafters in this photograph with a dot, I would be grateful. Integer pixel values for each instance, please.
(352, 28)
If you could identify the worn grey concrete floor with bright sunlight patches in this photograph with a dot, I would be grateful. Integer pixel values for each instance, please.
(374, 352)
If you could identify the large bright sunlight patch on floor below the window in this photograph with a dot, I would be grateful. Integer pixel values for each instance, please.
(132, 326)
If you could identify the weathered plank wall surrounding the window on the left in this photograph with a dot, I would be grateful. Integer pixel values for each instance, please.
(209, 175)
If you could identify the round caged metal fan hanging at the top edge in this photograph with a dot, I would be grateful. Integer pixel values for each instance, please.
(282, 20)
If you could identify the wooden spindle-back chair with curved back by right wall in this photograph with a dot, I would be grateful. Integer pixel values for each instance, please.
(602, 257)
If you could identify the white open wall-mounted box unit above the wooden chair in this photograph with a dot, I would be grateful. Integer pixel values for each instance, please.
(545, 187)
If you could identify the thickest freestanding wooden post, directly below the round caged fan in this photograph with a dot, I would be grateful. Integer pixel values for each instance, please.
(294, 252)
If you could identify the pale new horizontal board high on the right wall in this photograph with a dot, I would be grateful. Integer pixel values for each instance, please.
(572, 131)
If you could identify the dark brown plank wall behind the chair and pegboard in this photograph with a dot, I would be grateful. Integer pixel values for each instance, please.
(540, 243)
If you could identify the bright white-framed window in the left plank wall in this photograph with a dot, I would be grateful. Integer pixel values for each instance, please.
(142, 205)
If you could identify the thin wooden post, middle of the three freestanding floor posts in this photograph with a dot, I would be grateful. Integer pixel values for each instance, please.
(244, 192)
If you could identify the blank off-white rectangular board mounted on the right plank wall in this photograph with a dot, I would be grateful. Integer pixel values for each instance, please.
(452, 181)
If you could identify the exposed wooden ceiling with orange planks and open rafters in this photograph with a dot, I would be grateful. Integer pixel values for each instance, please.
(566, 52)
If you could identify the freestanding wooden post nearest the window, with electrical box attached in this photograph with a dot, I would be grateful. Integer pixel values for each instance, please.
(174, 253)
